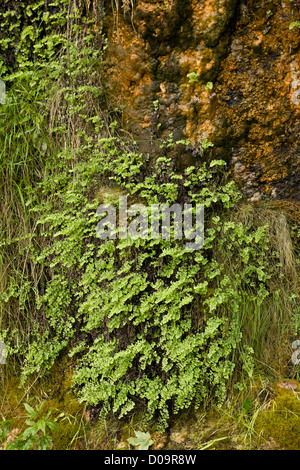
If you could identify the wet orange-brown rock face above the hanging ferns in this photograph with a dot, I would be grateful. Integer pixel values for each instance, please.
(220, 70)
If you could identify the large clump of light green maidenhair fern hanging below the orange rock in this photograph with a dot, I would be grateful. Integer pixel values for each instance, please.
(157, 322)
